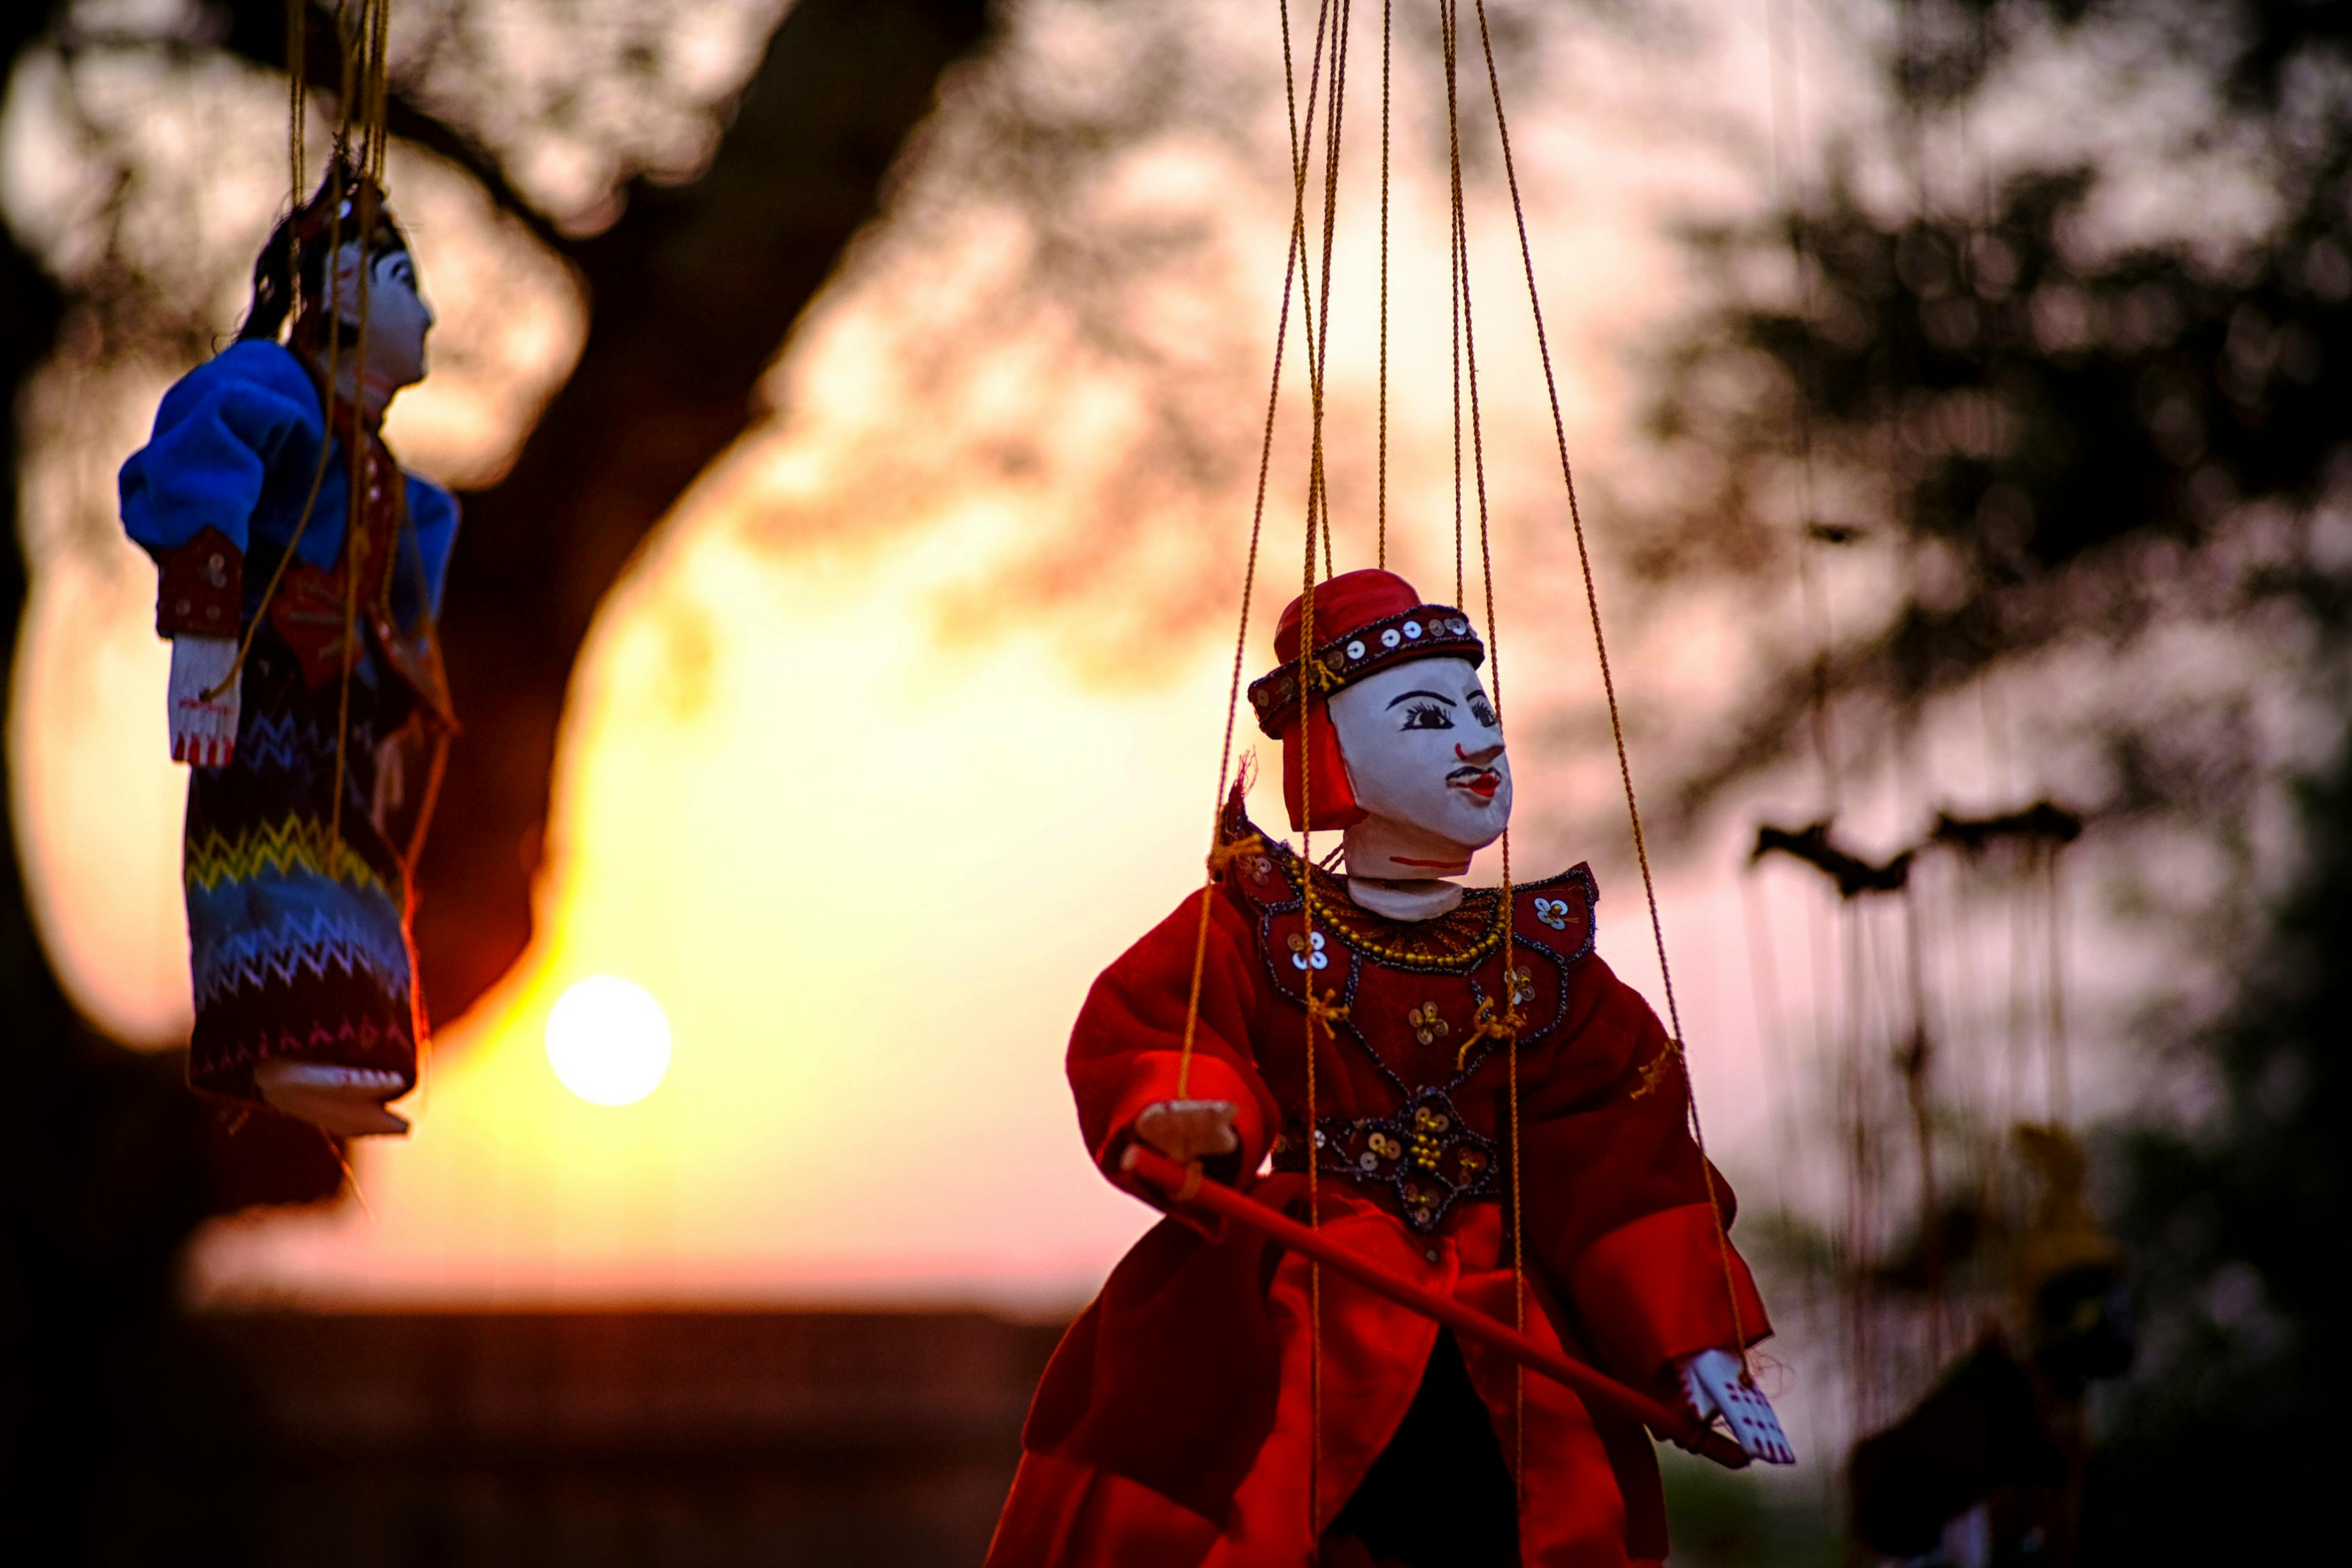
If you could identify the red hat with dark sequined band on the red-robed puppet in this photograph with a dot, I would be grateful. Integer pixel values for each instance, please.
(1363, 622)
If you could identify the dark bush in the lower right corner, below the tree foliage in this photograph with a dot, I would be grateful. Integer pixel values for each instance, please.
(2240, 1252)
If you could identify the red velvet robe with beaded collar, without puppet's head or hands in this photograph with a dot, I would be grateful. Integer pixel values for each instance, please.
(1177, 1421)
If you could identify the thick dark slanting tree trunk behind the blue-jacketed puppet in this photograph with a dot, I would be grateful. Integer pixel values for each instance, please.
(714, 274)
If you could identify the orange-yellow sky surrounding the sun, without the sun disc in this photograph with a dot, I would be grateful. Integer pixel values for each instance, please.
(871, 866)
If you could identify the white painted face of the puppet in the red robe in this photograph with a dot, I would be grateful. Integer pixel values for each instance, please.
(1424, 753)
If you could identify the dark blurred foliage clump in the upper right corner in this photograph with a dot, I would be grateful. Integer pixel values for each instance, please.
(2057, 436)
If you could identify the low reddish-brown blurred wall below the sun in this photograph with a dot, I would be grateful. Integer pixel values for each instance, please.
(806, 1440)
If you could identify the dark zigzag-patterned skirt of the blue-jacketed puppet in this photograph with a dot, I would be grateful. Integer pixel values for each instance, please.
(298, 932)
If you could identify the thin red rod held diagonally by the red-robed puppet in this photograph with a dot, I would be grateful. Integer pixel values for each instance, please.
(1584, 1381)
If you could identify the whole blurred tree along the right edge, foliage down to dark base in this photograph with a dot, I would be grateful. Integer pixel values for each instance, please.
(2050, 375)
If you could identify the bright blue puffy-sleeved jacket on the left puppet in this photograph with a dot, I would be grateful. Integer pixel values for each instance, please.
(236, 448)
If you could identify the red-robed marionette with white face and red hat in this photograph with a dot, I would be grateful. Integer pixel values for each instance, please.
(1180, 1421)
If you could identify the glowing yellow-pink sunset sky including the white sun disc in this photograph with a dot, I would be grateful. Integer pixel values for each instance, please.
(862, 784)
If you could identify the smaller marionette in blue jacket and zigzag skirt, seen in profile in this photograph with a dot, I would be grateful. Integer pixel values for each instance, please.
(300, 582)
